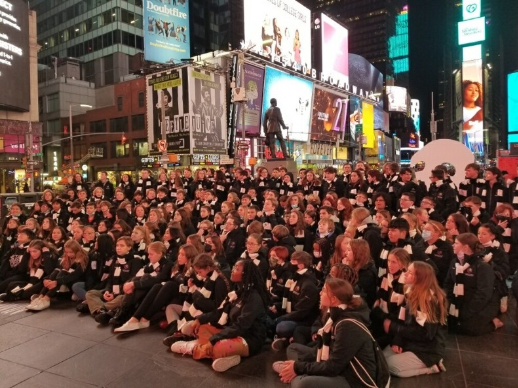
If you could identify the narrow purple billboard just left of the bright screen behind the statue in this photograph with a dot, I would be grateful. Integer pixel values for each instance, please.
(254, 82)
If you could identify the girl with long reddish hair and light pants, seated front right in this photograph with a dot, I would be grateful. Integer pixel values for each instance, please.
(417, 345)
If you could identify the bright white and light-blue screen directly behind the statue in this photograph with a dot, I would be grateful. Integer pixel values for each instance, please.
(294, 96)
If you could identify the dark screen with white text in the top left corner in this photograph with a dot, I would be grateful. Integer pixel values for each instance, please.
(14, 55)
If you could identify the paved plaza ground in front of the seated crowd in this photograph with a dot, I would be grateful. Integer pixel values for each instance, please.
(58, 348)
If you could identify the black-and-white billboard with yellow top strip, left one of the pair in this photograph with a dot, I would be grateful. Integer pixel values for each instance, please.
(171, 91)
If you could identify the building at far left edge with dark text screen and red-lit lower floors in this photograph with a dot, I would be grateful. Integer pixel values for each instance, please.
(20, 129)
